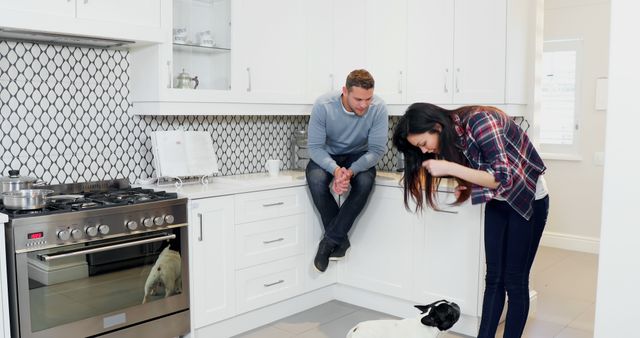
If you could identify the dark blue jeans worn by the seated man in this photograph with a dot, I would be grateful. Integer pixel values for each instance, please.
(337, 220)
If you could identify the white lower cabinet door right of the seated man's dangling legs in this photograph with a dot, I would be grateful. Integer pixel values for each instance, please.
(381, 255)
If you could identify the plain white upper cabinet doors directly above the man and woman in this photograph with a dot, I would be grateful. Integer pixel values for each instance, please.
(445, 52)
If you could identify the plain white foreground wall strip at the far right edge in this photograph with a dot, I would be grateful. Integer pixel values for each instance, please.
(617, 310)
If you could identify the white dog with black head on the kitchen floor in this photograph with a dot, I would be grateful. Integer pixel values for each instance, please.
(436, 317)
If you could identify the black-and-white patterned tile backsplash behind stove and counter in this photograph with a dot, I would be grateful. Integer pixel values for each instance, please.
(64, 118)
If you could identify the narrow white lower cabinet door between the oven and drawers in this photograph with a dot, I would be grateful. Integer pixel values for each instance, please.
(212, 258)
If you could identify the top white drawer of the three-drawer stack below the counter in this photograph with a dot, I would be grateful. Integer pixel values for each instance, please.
(269, 204)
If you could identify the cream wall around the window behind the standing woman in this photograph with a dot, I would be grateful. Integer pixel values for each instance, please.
(576, 186)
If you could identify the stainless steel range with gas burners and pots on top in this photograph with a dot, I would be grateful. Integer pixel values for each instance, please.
(101, 259)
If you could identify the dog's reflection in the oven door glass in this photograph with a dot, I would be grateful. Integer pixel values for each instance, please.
(165, 274)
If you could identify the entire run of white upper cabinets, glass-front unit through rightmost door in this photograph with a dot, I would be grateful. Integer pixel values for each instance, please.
(278, 56)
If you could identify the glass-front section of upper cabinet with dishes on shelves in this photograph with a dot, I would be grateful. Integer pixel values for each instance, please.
(201, 44)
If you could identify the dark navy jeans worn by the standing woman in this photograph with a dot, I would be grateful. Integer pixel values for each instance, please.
(510, 243)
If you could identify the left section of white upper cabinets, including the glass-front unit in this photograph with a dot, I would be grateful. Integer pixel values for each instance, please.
(224, 57)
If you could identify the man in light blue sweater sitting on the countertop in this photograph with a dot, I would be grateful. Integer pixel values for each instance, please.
(347, 136)
